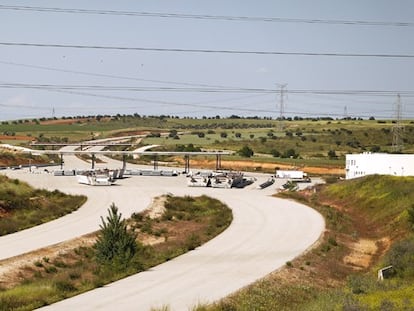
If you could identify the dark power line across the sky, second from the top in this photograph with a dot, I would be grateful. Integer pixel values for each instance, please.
(179, 50)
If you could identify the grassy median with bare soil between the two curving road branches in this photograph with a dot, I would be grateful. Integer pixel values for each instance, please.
(186, 223)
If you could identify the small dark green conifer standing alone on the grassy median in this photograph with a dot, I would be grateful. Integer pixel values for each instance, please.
(115, 245)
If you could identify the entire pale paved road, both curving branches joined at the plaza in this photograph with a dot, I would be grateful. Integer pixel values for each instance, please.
(266, 232)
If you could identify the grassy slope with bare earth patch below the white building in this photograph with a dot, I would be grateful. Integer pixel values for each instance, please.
(341, 272)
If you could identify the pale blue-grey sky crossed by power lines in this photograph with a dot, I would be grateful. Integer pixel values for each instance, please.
(184, 65)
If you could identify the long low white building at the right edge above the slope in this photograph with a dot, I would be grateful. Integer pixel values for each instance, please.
(367, 163)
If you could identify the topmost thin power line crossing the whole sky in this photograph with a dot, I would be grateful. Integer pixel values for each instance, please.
(208, 17)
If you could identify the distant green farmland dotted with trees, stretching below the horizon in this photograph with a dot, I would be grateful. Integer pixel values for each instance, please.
(300, 143)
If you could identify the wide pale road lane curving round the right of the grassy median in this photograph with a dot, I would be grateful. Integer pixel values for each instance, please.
(265, 234)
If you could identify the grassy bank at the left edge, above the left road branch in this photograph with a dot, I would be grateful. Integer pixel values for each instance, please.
(23, 207)
